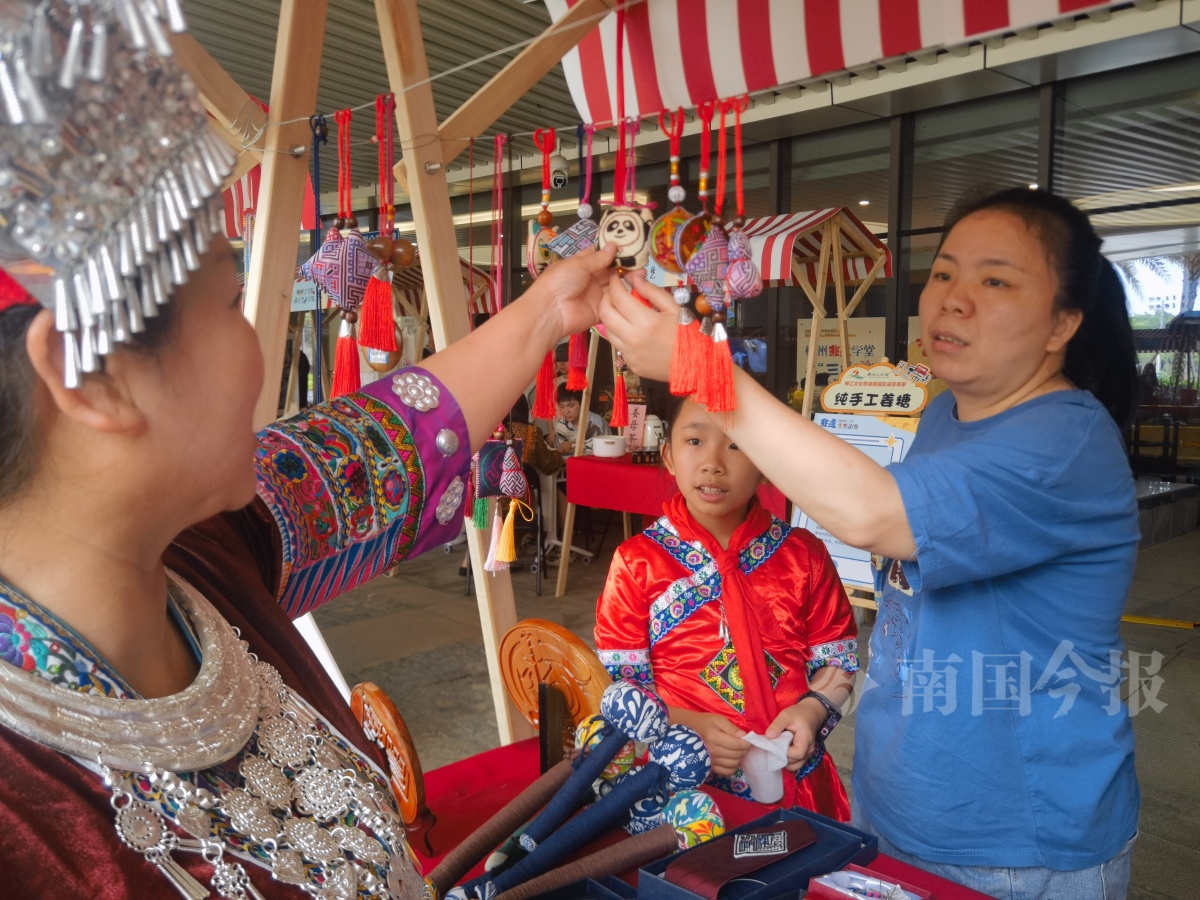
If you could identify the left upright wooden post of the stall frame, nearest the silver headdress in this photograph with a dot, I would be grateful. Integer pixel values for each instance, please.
(273, 262)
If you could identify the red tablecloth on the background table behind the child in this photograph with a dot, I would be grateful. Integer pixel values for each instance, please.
(621, 485)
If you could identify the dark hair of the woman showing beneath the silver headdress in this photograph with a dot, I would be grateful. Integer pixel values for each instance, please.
(19, 431)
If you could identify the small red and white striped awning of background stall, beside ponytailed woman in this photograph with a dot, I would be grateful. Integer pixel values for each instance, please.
(778, 242)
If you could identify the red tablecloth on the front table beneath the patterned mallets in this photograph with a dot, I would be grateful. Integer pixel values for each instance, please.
(466, 794)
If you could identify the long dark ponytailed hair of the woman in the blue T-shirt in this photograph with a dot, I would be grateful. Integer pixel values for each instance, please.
(1101, 357)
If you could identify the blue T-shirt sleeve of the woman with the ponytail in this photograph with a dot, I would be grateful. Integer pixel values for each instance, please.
(1003, 496)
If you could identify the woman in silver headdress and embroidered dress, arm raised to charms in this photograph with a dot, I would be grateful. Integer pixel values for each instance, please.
(164, 728)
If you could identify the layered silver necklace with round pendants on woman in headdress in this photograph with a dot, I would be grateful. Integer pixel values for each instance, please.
(315, 820)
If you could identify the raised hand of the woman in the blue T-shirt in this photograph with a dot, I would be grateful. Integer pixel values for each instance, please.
(645, 335)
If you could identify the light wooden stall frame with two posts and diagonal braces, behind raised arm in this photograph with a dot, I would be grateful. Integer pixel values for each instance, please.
(293, 99)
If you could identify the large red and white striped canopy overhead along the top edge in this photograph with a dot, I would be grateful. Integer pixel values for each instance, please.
(682, 53)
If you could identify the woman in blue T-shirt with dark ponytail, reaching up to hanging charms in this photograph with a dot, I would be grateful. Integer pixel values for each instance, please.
(992, 743)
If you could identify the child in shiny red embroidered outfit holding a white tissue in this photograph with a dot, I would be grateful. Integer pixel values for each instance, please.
(736, 620)
